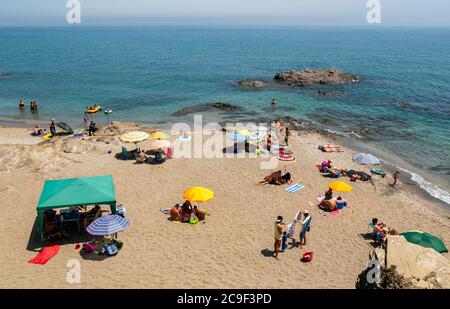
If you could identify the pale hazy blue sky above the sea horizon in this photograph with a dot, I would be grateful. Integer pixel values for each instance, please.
(229, 12)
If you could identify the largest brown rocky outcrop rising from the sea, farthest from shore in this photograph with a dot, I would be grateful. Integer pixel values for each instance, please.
(314, 77)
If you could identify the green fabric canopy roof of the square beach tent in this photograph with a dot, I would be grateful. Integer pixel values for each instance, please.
(69, 192)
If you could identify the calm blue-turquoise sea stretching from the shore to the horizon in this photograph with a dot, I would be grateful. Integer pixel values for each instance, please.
(401, 106)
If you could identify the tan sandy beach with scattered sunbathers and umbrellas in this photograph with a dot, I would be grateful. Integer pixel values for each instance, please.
(232, 249)
